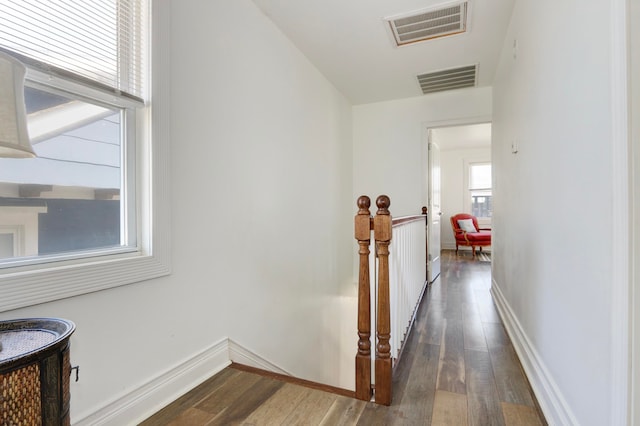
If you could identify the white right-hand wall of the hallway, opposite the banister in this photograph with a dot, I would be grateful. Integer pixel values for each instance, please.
(552, 248)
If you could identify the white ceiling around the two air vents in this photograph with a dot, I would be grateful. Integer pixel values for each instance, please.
(350, 43)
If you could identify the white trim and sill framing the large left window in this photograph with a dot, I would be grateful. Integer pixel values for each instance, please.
(41, 283)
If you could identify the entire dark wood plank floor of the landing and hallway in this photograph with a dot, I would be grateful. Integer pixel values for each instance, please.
(458, 368)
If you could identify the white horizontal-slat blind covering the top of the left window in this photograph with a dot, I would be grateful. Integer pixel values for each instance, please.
(99, 42)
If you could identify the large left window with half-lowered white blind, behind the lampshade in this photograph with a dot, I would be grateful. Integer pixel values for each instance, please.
(85, 92)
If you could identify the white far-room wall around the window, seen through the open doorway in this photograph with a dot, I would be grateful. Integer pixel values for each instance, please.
(453, 163)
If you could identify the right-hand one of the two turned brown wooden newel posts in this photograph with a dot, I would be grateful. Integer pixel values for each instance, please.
(382, 234)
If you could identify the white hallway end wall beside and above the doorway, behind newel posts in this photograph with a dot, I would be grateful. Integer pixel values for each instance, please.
(389, 139)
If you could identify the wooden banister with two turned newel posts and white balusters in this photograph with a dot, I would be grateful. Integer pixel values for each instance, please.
(407, 292)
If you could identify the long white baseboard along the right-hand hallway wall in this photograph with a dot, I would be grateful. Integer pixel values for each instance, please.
(552, 403)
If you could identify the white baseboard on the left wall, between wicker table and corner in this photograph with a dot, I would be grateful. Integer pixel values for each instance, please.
(135, 406)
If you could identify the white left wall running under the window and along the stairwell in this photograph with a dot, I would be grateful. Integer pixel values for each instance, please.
(262, 217)
